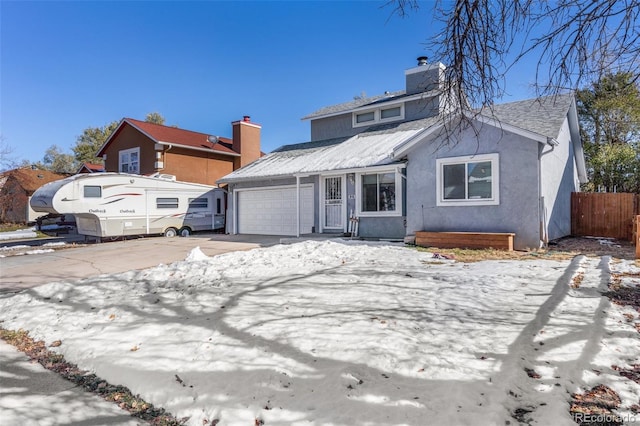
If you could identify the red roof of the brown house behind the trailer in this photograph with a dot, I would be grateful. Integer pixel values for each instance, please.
(177, 136)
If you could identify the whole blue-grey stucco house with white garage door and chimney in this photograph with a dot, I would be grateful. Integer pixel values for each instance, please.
(388, 161)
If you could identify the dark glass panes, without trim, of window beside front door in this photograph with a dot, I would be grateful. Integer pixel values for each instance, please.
(378, 192)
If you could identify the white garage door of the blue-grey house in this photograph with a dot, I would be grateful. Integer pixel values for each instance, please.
(272, 211)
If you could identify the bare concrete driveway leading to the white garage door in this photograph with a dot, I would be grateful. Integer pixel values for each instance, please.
(20, 272)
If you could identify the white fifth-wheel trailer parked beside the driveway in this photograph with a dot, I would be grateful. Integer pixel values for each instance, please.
(117, 204)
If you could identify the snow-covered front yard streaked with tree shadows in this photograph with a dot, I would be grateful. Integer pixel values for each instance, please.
(345, 333)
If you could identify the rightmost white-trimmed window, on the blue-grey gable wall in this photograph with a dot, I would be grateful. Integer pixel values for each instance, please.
(471, 180)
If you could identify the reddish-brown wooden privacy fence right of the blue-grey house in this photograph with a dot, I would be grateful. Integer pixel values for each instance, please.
(600, 214)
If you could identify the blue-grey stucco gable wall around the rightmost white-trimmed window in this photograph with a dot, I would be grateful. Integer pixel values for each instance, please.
(518, 210)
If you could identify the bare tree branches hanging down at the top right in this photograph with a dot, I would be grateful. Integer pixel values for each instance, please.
(572, 42)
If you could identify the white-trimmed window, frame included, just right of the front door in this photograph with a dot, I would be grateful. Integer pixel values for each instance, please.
(379, 194)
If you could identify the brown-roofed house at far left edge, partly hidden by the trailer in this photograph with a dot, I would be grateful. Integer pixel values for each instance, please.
(16, 188)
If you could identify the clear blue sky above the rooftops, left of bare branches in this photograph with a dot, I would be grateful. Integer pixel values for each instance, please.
(66, 66)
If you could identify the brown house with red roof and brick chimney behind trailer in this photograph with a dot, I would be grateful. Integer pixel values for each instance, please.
(146, 148)
